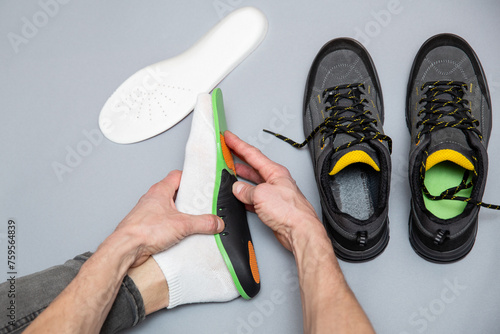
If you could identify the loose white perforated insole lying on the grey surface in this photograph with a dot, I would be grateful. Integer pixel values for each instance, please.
(157, 97)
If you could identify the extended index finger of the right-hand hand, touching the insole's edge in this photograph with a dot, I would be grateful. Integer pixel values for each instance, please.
(267, 168)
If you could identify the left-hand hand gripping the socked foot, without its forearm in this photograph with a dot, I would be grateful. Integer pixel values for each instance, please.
(155, 224)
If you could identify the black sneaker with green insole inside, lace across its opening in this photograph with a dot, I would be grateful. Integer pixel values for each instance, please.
(448, 113)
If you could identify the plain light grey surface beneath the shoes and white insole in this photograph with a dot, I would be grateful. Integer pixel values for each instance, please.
(54, 84)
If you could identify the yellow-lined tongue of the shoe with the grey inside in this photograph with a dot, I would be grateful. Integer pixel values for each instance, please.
(361, 153)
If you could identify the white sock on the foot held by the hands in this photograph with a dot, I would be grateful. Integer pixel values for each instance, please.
(194, 268)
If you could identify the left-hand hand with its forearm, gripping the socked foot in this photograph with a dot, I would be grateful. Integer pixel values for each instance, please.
(153, 225)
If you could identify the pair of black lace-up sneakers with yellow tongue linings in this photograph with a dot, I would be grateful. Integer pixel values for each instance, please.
(448, 113)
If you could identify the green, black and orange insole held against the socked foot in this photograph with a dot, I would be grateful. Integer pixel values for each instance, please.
(234, 242)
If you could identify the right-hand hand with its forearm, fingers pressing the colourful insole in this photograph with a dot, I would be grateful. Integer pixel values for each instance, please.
(328, 304)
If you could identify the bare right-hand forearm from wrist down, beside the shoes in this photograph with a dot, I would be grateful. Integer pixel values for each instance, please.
(328, 304)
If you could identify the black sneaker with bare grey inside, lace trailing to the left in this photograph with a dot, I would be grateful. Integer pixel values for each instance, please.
(343, 116)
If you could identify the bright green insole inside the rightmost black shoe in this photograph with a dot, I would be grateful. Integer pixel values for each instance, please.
(440, 177)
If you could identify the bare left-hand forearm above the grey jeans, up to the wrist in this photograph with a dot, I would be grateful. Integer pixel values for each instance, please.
(83, 306)
